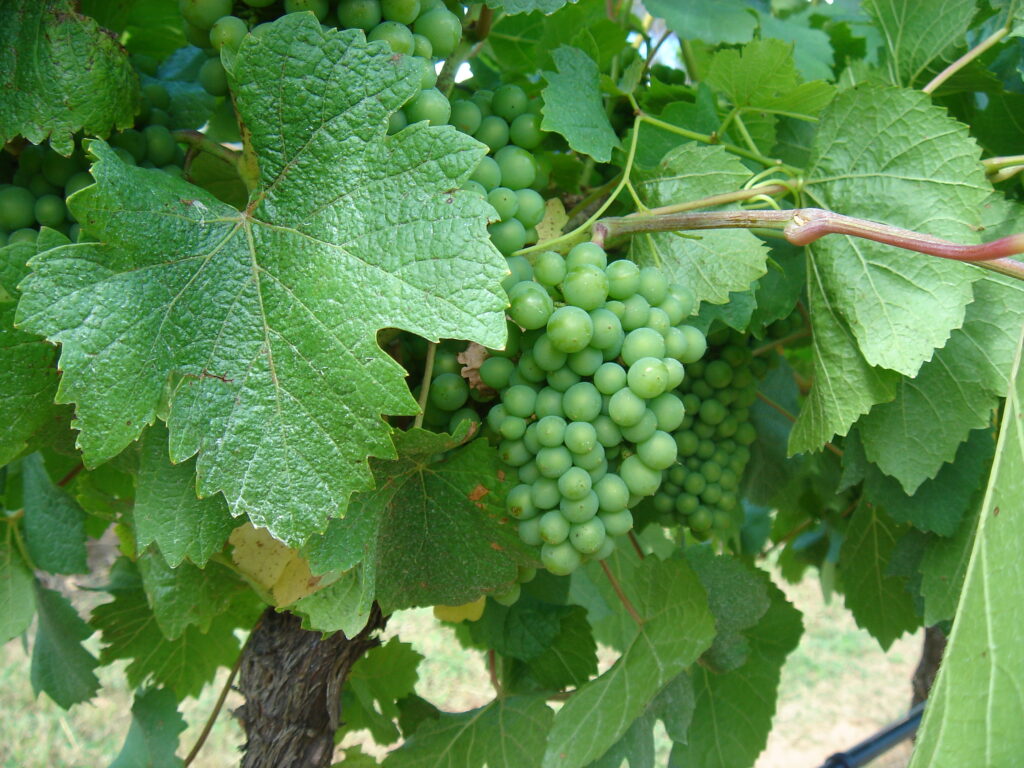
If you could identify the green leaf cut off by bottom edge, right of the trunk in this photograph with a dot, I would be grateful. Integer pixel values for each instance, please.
(506, 734)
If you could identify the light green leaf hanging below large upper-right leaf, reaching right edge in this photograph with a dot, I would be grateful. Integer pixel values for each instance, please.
(955, 393)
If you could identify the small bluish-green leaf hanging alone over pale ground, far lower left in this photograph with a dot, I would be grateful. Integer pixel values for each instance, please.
(61, 667)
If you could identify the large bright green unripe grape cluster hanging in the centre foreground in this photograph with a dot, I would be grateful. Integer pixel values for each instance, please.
(587, 410)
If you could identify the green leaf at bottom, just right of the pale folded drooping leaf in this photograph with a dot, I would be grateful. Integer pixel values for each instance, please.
(735, 710)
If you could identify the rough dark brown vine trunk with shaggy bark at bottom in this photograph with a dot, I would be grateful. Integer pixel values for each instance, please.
(292, 681)
